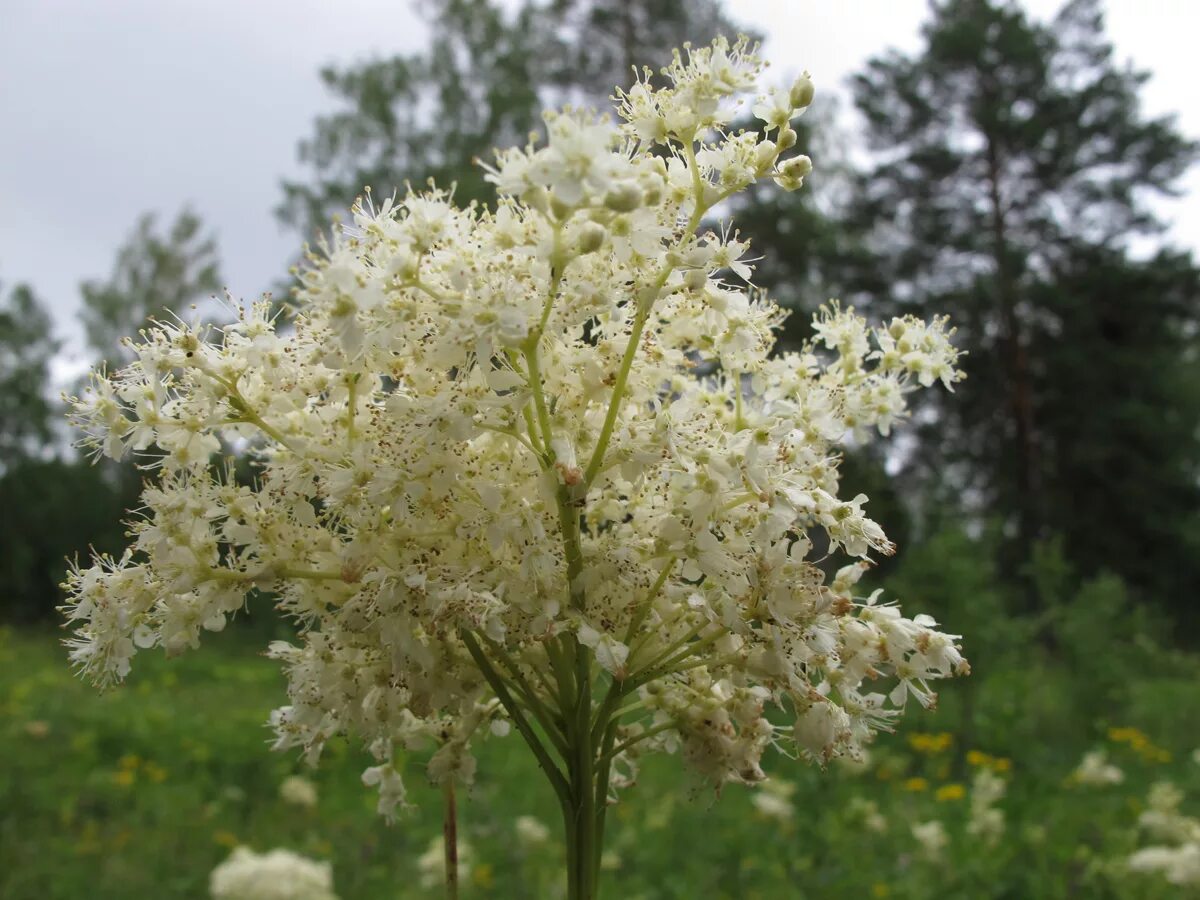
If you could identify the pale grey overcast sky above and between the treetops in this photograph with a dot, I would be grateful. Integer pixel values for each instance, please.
(116, 107)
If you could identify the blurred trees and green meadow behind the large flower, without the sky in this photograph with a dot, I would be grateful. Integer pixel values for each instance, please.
(1049, 511)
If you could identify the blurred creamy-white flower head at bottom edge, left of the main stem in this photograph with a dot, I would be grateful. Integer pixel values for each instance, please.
(275, 875)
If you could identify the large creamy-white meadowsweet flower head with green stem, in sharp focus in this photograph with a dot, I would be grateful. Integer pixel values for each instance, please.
(537, 467)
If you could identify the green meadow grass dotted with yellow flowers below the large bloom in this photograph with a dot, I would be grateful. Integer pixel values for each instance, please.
(140, 793)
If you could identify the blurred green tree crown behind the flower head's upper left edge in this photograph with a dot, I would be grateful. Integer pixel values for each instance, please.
(482, 85)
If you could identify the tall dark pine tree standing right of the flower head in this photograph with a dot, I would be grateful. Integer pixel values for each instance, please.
(1013, 155)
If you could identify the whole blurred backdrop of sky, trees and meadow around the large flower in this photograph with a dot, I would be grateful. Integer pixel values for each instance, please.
(1027, 169)
